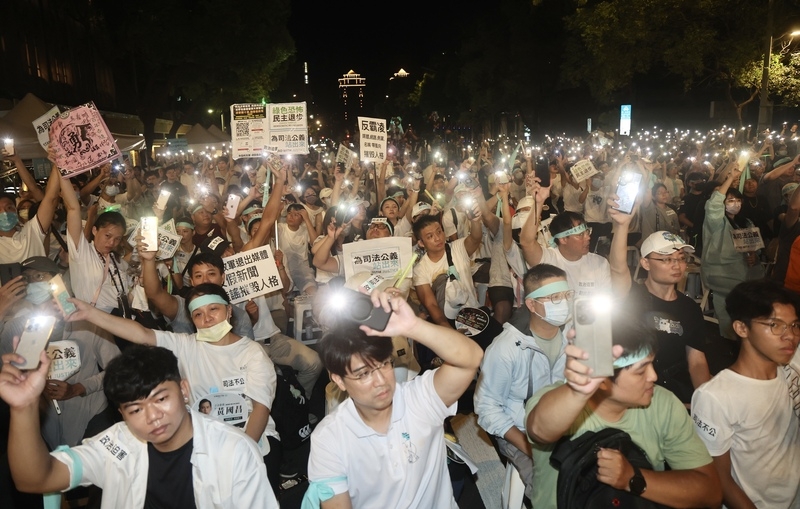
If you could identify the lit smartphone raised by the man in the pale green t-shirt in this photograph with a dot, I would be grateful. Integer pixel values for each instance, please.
(592, 320)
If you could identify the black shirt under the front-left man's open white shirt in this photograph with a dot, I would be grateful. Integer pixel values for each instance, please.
(169, 478)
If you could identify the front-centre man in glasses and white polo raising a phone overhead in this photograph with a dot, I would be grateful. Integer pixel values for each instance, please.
(384, 446)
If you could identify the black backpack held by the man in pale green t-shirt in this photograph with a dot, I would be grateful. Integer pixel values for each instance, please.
(576, 461)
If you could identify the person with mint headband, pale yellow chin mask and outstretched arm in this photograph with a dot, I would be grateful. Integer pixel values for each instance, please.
(214, 361)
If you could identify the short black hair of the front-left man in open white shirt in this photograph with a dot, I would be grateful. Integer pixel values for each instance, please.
(138, 370)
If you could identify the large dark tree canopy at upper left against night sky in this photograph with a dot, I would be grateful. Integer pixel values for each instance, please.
(191, 55)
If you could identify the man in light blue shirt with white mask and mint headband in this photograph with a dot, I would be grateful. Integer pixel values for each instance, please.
(520, 362)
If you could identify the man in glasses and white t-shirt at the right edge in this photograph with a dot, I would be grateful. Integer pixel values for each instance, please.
(747, 415)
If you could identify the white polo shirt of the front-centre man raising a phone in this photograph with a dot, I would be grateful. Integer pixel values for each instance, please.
(405, 468)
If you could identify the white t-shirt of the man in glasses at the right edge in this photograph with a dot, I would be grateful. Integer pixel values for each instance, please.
(754, 420)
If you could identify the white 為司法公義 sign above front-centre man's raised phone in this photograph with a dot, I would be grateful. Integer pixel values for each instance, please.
(386, 256)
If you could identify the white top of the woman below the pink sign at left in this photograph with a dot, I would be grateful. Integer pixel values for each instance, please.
(87, 269)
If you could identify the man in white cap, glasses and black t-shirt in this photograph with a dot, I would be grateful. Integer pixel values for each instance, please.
(677, 320)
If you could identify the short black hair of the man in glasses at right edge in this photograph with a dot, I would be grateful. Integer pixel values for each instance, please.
(754, 299)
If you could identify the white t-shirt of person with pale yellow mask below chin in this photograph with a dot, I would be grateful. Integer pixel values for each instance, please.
(241, 368)
